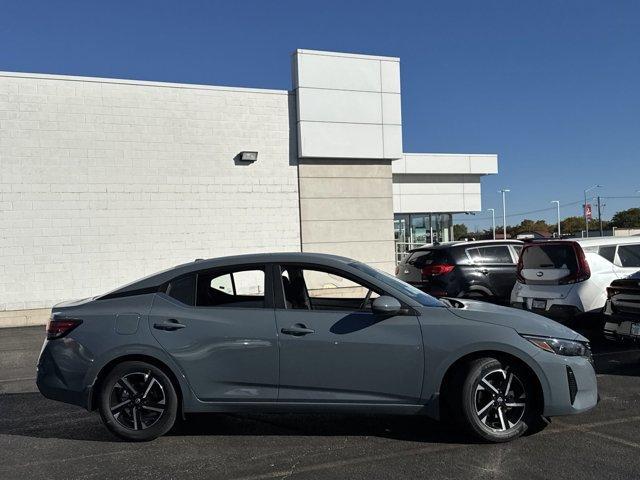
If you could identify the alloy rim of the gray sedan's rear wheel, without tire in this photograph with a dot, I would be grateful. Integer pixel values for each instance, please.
(137, 400)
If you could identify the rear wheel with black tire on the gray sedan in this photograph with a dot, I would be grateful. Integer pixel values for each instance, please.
(138, 401)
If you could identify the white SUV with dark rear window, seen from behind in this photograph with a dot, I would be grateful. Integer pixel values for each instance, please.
(563, 278)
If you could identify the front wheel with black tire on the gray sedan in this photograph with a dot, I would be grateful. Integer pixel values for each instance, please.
(498, 401)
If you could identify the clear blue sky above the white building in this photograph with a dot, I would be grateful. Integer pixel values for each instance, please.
(552, 86)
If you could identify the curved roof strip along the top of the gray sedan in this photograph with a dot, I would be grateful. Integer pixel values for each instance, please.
(164, 276)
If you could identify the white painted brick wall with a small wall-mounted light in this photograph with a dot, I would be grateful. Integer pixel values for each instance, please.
(102, 182)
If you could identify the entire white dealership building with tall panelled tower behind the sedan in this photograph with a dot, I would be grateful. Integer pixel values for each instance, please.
(103, 181)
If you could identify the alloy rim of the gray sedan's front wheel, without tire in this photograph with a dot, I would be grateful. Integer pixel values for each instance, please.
(500, 400)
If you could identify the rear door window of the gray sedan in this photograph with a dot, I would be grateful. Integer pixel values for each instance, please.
(223, 288)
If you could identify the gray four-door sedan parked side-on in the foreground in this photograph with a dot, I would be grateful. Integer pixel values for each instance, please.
(299, 332)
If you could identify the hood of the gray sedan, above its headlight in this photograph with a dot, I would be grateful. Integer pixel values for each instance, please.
(523, 322)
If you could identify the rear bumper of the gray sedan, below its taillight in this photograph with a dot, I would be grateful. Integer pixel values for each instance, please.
(61, 377)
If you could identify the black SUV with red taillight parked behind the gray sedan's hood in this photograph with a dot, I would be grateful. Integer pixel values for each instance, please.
(483, 270)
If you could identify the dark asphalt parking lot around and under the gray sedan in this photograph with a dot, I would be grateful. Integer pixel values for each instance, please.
(40, 438)
